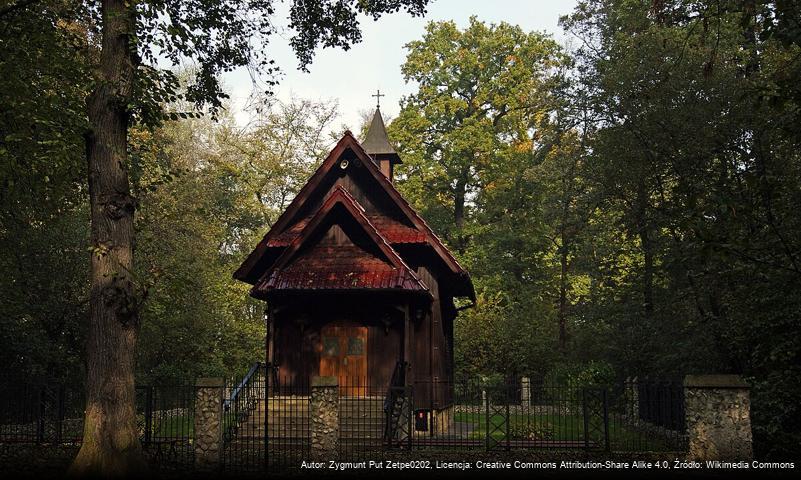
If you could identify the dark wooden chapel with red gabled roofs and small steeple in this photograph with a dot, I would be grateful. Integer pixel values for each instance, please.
(356, 284)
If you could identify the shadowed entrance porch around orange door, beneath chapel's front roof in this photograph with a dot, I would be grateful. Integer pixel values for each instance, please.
(358, 339)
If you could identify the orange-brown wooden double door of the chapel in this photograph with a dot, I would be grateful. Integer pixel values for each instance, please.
(344, 355)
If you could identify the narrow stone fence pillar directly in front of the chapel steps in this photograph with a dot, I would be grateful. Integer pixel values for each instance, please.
(324, 410)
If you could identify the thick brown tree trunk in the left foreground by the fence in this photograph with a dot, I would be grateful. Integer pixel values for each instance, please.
(110, 441)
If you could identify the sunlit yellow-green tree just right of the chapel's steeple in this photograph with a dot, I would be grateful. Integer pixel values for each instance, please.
(470, 138)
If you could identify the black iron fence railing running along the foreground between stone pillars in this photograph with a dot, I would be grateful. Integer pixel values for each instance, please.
(267, 421)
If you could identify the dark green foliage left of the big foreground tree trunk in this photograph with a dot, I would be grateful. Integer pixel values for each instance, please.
(43, 230)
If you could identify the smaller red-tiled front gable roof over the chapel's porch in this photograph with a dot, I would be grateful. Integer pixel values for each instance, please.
(306, 265)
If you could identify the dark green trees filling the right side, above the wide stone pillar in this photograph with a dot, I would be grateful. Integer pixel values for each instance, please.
(693, 157)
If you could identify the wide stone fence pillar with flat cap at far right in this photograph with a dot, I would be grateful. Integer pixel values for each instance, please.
(717, 412)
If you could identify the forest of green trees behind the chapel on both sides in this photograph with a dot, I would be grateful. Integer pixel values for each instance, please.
(626, 207)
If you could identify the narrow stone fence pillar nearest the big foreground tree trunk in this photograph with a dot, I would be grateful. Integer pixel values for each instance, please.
(208, 423)
